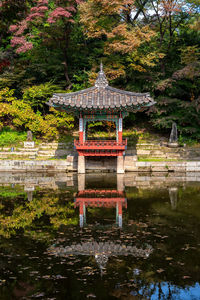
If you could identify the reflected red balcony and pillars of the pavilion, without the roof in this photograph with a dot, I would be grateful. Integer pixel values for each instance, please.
(107, 198)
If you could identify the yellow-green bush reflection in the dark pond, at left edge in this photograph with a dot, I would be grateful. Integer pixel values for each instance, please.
(25, 214)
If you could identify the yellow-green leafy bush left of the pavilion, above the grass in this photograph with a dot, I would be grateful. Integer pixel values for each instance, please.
(19, 114)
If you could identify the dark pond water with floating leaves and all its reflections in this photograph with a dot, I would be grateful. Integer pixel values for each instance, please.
(69, 240)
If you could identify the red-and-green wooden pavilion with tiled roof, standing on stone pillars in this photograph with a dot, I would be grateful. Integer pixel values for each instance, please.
(101, 103)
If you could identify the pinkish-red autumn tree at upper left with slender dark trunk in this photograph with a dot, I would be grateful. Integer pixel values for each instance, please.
(46, 23)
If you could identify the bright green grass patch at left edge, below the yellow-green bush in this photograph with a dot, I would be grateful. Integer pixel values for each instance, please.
(9, 137)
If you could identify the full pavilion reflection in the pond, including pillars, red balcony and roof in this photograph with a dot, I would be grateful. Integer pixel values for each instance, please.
(101, 251)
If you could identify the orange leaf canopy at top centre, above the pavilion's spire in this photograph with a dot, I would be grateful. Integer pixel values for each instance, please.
(108, 18)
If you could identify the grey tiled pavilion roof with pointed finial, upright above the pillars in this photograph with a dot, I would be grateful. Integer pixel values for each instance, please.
(101, 97)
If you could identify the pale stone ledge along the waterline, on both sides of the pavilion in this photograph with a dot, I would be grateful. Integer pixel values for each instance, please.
(70, 164)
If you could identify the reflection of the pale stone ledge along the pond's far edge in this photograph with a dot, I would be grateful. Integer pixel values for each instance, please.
(138, 180)
